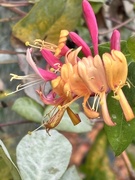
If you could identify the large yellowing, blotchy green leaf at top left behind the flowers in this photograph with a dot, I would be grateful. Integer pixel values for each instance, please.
(47, 18)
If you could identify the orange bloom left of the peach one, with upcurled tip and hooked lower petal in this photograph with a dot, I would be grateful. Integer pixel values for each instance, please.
(70, 87)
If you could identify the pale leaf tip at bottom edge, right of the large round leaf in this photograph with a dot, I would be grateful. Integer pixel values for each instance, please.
(71, 173)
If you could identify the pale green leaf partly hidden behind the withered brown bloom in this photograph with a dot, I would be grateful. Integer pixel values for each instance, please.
(66, 124)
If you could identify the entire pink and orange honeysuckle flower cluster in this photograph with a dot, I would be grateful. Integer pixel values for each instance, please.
(89, 76)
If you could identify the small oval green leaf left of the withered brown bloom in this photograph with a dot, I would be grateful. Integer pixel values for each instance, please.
(29, 109)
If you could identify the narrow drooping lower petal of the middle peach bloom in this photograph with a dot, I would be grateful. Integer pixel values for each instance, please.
(106, 117)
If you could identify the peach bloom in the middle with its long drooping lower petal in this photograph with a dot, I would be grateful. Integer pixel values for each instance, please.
(91, 70)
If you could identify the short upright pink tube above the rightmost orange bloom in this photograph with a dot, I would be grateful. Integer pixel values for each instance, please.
(115, 40)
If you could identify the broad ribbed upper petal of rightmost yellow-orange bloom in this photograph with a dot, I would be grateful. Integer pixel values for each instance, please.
(116, 69)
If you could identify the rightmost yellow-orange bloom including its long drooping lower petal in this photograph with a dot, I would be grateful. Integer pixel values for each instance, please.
(116, 73)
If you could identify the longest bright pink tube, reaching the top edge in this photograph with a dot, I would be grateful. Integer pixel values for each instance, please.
(91, 23)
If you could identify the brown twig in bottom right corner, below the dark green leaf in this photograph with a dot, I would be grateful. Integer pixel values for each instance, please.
(128, 165)
